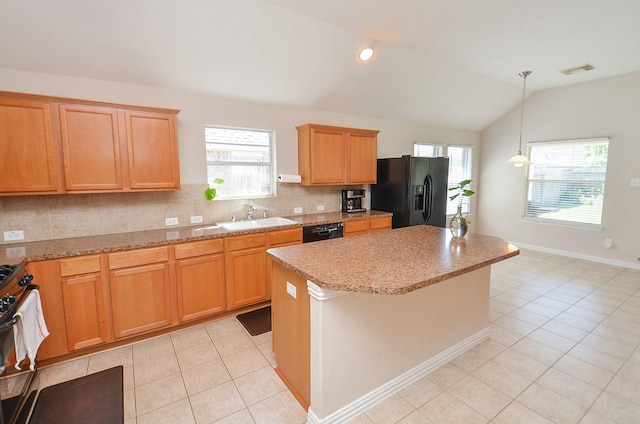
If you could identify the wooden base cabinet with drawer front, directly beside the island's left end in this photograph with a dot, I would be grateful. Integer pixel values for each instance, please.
(246, 270)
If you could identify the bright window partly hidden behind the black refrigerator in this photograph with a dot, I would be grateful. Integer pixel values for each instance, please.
(460, 167)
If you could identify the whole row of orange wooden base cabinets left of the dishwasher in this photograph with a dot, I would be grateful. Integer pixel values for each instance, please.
(97, 299)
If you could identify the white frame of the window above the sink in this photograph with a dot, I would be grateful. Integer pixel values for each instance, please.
(271, 163)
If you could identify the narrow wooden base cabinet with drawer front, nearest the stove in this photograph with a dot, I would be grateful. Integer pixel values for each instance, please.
(83, 298)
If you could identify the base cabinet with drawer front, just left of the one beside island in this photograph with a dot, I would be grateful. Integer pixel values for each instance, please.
(200, 279)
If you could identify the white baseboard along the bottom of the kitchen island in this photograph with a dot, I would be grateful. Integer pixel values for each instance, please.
(393, 386)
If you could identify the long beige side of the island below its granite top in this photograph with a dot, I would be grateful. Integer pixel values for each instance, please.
(361, 341)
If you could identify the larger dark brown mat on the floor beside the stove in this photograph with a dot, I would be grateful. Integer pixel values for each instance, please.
(93, 399)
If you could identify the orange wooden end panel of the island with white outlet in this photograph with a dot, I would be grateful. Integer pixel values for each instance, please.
(290, 329)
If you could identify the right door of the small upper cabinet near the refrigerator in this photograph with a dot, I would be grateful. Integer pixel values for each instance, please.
(361, 157)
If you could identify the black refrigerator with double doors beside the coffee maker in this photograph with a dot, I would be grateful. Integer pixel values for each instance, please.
(415, 189)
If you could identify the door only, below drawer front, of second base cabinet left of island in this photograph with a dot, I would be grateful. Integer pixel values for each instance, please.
(201, 286)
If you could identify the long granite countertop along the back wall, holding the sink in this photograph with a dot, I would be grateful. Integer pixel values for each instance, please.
(13, 253)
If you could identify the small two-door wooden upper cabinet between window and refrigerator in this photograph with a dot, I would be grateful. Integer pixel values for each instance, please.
(335, 155)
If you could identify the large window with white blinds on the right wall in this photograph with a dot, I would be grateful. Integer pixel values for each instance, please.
(565, 182)
